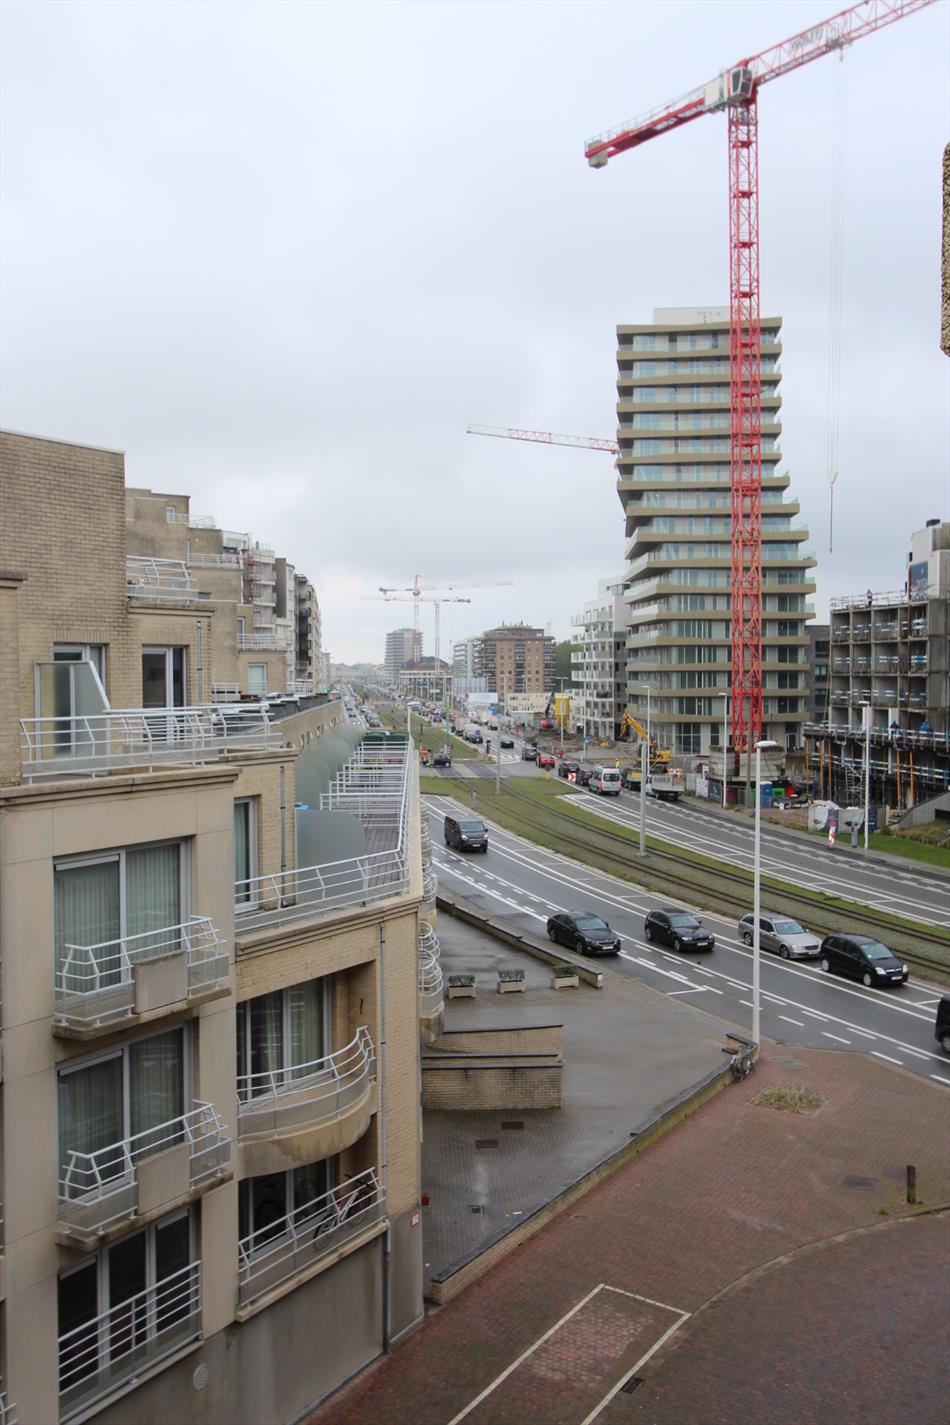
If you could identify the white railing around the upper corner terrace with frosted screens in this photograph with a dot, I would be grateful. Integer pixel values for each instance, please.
(375, 787)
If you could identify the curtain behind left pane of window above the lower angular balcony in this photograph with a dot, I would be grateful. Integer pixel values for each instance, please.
(90, 1112)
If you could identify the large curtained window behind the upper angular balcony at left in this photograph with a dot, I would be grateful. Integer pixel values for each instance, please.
(120, 896)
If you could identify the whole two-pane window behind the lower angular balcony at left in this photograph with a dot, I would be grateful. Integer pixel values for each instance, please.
(130, 1092)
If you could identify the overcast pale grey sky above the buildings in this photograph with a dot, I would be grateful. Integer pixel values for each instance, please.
(281, 254)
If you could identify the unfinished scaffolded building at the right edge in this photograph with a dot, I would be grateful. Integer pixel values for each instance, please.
(891, 669)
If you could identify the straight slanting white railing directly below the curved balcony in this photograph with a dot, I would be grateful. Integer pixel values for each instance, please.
(284, 1249)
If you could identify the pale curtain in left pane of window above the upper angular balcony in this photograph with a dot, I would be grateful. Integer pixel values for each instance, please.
(86, 914)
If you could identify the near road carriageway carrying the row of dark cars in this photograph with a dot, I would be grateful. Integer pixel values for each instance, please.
(525, 884)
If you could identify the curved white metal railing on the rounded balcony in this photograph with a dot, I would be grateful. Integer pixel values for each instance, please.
(298, 1097)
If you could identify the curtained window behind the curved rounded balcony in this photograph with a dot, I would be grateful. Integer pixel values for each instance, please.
(281, 1035)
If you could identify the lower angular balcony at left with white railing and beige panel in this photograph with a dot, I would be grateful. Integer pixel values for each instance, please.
(142, 1176)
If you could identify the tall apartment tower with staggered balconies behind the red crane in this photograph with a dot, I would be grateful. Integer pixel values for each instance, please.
(674, 482)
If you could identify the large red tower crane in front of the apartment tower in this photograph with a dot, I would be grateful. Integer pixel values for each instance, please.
(736, 90)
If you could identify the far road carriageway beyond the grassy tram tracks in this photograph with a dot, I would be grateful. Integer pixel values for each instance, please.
(901, 888)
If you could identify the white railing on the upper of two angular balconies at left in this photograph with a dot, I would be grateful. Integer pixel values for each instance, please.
(98, 984)
